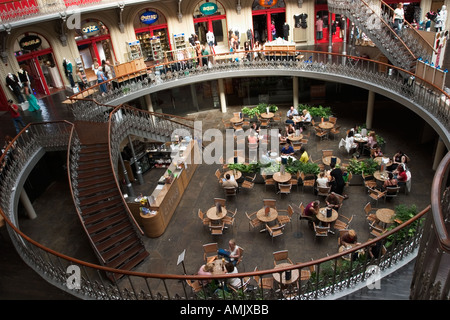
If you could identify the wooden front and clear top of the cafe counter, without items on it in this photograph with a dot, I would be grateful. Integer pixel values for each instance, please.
(166, 196)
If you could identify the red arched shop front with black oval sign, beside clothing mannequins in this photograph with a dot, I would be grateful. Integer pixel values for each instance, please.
(37, 64)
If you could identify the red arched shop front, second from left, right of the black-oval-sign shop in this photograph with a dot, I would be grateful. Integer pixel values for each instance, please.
(94, 43)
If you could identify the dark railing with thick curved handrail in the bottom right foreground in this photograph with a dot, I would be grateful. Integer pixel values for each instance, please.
(431, 280)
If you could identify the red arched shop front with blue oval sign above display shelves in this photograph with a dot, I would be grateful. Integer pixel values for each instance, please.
(150, 26)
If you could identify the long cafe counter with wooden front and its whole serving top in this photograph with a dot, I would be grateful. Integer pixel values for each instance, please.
(154, 213)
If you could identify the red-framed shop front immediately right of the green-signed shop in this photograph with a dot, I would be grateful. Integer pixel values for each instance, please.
(269, 17)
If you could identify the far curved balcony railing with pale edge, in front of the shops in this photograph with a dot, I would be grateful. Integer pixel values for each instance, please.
(388, 79)
